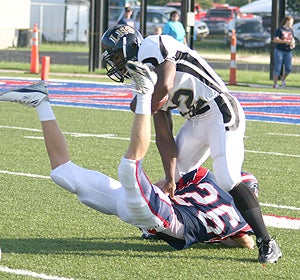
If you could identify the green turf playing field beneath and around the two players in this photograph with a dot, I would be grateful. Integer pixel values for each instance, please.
(45, 230)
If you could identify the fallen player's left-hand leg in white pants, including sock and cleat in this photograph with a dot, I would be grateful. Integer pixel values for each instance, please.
(94, 189)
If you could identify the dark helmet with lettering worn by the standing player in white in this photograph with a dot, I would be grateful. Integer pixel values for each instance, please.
(120, 43)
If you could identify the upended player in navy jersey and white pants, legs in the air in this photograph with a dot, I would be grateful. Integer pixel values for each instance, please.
(199, 212)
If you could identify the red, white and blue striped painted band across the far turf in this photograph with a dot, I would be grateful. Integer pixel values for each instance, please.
(261, 106)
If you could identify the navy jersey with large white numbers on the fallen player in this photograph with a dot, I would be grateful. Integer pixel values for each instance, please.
(207, 212)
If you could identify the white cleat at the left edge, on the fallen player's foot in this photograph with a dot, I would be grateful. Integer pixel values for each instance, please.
(31, 95)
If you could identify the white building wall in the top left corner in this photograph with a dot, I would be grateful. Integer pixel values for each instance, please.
(14, 15)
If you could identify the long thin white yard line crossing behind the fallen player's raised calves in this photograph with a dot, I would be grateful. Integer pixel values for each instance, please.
(112, 136)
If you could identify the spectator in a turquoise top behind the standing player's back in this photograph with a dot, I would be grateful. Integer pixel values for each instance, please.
(175, 28)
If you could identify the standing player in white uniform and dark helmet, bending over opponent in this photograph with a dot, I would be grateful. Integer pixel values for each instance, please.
(215, 123)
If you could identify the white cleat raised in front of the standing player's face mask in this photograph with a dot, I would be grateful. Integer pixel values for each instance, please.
(143, 77)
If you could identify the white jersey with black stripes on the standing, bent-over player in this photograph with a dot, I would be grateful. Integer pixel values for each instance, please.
(195, 81)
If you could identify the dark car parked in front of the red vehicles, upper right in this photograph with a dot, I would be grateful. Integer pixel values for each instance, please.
(250, 33)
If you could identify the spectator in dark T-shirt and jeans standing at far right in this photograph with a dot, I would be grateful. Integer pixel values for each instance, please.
(285, 43)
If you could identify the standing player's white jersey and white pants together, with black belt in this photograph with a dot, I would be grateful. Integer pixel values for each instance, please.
(215, 119)
